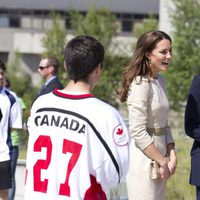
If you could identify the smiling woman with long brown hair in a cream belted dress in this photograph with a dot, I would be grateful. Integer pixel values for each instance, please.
(144, 90)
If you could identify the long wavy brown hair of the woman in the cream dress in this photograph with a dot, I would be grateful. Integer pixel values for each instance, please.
(139, 64)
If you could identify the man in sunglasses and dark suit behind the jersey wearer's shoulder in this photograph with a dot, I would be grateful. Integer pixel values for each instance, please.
(48, 68)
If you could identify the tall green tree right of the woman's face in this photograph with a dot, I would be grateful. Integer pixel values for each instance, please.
(186, 50)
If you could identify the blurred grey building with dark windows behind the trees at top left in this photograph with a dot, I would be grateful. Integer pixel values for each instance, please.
(23, 23)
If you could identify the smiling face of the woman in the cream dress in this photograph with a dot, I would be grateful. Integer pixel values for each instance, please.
(160, 56)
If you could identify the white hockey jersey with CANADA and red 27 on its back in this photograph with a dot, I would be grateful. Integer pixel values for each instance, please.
(78, 148)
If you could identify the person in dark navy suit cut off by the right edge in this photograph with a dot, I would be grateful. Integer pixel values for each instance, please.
(192, 129)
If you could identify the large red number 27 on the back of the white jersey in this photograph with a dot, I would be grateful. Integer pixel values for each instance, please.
(67, 146)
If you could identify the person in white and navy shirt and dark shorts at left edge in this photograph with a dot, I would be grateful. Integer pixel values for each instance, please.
(11, 119)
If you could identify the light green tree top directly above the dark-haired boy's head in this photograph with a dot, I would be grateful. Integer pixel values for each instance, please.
(100, 23)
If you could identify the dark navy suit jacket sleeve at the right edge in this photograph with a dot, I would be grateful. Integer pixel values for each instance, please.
(192, 111)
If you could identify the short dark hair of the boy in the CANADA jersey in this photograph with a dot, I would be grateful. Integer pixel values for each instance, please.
(82, 55)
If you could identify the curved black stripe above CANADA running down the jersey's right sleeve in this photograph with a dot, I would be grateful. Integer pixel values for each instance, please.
(92, 126)
